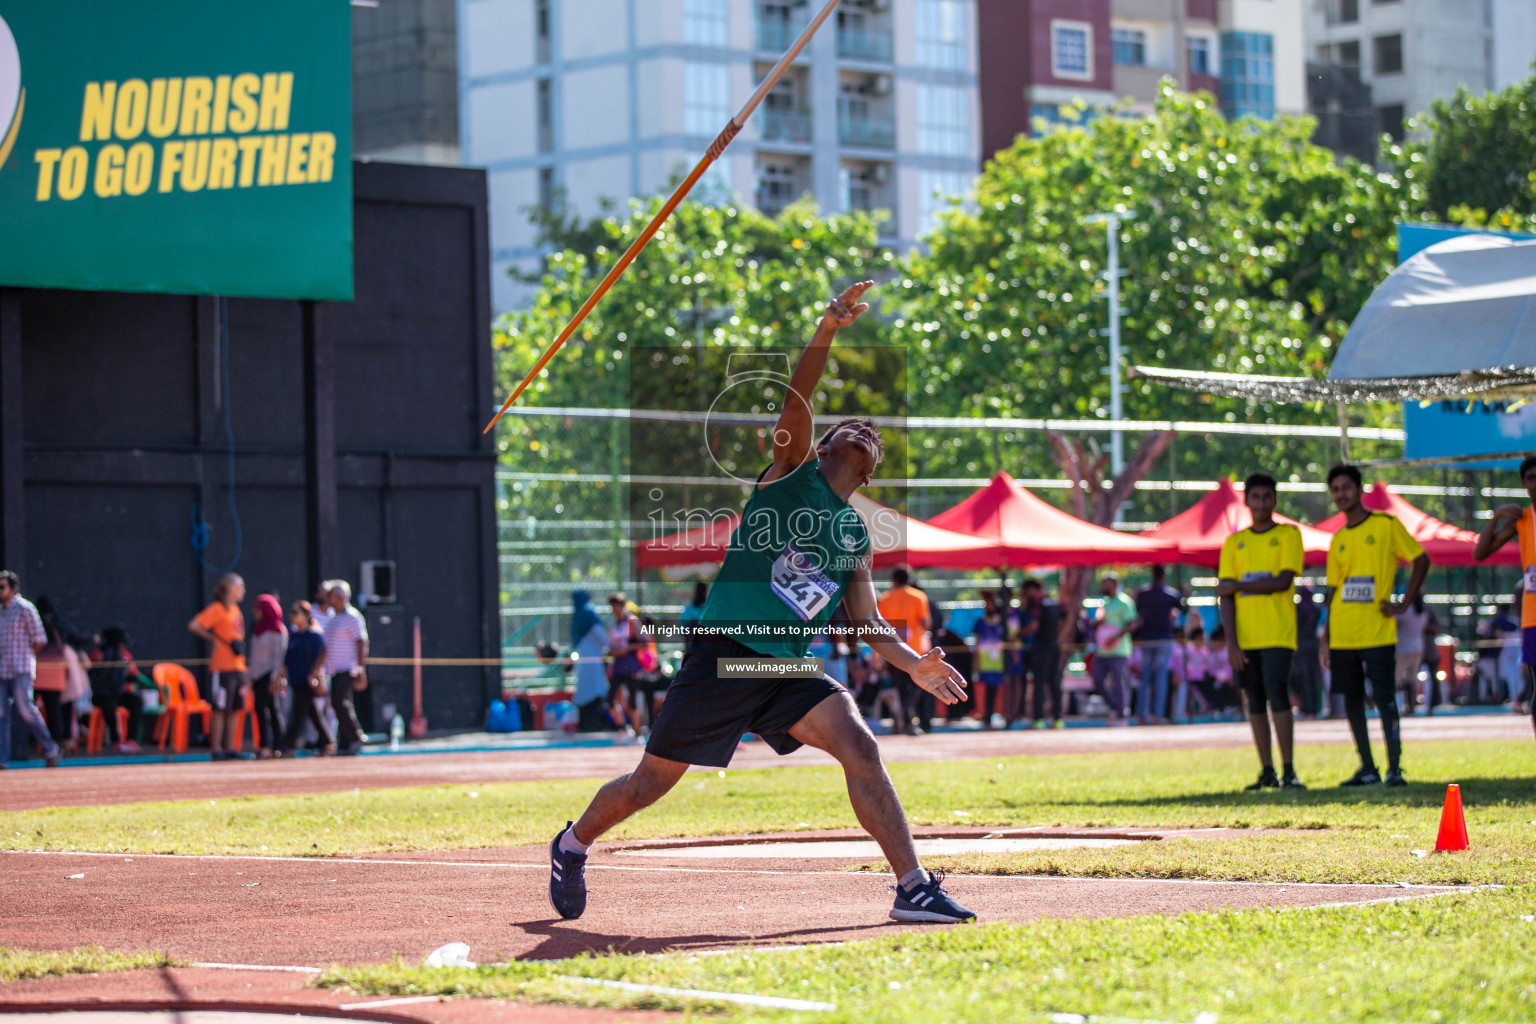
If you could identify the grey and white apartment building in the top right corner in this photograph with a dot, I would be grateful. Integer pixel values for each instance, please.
(1379, 62)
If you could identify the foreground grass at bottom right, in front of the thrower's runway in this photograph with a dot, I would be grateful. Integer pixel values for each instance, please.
(1462, 957)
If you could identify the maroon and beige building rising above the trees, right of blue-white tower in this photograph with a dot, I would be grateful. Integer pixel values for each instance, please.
(1041, 56)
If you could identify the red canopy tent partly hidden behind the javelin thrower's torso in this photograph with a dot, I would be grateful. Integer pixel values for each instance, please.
(896, 540)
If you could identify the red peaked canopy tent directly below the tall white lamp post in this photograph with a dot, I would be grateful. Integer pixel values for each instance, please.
(1027, 530)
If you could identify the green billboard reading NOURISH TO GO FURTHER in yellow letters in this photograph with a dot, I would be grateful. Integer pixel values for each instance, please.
(177, 147)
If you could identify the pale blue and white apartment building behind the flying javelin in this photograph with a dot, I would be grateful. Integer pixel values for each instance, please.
(607, 101)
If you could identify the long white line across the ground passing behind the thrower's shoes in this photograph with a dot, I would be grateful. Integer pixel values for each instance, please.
(703, 871)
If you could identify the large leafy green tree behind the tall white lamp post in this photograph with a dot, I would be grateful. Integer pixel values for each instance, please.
(1250, 251)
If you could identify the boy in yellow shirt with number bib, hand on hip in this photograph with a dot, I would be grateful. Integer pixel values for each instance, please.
(1362, 633)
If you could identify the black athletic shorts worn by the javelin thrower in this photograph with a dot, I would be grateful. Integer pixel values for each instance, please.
(704, 716)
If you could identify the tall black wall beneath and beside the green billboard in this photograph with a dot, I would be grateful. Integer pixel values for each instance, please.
(357, 434)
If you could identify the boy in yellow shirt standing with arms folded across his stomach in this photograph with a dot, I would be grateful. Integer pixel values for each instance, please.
(1259, 607)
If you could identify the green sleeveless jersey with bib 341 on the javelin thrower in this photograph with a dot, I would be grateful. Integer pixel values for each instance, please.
(789, 564)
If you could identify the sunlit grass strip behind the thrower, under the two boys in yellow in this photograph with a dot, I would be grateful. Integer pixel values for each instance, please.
(1352, 836)
